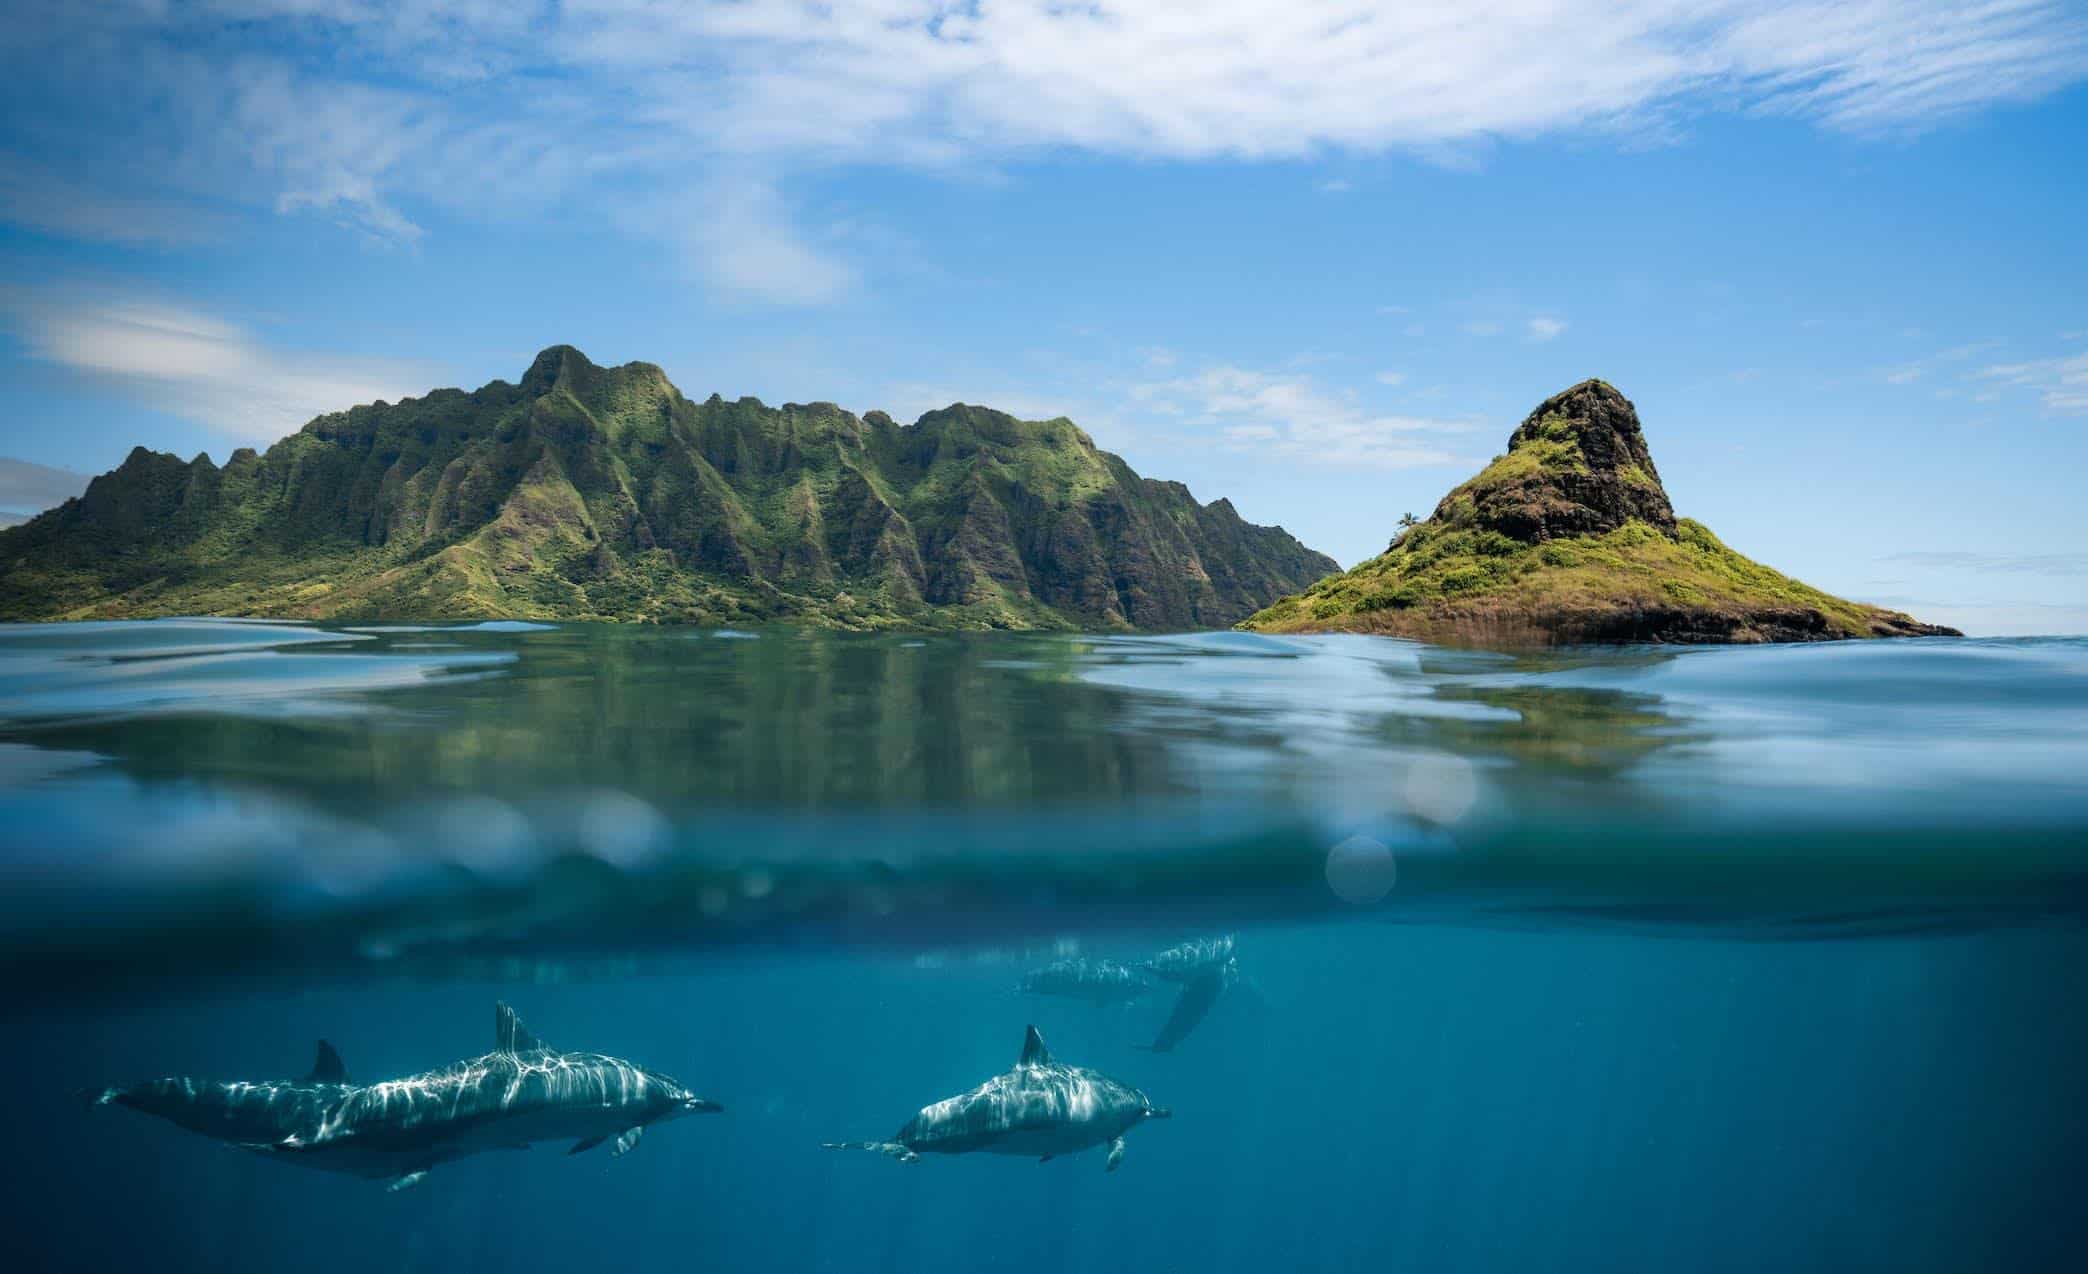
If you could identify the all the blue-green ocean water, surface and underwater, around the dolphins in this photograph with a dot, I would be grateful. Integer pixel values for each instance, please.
(1634, 960)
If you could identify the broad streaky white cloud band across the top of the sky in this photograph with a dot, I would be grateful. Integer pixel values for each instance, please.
(371, 114)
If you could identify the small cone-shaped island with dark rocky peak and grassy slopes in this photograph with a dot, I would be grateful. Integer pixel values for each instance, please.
(1569, 538)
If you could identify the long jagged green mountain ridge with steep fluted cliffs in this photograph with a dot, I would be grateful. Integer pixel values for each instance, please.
(604, 494)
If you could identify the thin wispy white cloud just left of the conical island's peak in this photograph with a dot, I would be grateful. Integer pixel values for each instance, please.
(1294, 417)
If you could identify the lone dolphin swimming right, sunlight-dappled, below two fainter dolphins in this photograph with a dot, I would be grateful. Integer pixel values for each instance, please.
(1041, 1108)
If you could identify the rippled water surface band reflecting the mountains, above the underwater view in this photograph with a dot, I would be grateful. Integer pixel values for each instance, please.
(254, 795)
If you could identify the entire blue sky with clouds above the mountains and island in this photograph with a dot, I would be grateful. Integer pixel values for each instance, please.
(1314, 258)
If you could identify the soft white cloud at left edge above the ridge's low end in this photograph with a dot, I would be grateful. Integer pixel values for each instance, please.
(201, 367)
